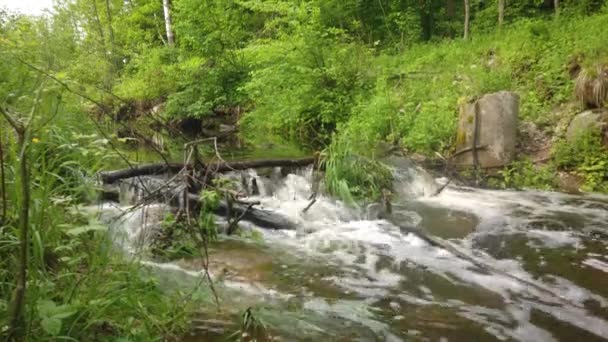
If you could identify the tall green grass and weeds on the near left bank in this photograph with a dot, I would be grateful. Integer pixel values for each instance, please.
(79, 286)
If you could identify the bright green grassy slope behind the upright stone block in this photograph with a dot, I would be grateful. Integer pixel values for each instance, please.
(416, 97)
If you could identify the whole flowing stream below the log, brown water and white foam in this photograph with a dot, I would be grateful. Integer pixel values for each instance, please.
(346, 275)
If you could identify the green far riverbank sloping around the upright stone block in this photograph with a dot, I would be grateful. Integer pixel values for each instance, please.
(409, 99)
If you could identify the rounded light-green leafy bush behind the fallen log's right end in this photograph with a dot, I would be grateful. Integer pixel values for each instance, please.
(305, 82)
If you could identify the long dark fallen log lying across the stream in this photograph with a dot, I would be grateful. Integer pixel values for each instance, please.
(109, 177)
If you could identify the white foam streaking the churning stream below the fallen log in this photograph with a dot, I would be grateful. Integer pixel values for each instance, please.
(332, 232)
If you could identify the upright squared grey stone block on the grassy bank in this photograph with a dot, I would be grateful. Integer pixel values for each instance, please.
(496, 130)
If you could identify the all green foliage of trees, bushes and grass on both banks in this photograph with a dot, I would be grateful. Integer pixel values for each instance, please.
(340, 74)
